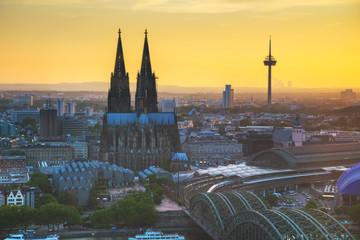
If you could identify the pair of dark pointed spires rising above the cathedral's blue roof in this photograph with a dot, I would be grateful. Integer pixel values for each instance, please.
(119, 93)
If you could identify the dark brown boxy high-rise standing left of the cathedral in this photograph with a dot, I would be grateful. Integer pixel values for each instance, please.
(49, 126)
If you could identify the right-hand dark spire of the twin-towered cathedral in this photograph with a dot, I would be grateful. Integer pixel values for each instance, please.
(146, 95)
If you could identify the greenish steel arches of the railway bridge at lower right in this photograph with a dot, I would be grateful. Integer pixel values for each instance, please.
(232, 215)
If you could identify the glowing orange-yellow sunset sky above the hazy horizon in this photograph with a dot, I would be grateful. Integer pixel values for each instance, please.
(192, 42)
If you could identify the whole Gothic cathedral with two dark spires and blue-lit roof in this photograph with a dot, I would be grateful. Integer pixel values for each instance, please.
(141, 137)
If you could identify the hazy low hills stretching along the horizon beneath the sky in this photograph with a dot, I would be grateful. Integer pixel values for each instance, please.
(104, 86)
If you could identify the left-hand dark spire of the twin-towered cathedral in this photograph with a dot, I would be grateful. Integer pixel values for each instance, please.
(119, 93)
